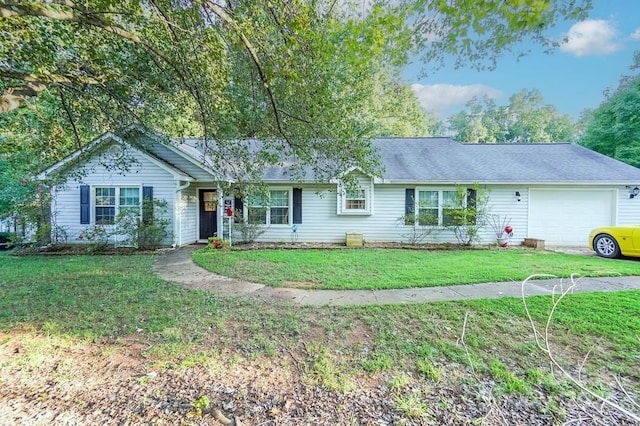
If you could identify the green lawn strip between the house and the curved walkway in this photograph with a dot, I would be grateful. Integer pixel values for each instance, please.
(395, 268)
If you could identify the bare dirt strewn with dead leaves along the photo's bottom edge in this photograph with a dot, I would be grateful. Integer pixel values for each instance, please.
(44, 381)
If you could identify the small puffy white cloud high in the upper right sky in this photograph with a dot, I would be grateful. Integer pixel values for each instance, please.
(591, 37)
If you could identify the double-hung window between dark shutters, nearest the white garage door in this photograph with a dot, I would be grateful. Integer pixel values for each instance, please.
(437, 207)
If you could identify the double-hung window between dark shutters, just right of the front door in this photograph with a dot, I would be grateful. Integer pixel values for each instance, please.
(274, 209)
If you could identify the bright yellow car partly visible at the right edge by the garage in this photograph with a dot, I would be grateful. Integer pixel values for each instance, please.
(613, 241)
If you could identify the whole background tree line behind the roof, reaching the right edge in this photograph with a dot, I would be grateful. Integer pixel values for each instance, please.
(613, 128)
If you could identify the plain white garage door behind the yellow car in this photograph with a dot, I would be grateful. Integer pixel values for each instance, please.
(565, 217)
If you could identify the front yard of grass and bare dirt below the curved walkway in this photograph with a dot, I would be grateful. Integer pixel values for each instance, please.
(99, 339)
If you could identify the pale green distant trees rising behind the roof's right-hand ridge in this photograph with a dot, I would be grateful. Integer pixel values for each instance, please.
(525, 120)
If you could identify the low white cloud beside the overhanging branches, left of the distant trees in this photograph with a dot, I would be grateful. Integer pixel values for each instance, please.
(440, 99)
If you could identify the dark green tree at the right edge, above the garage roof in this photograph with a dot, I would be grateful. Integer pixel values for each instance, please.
(614, 127)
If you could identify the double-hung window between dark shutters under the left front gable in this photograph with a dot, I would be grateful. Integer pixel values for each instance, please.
(111, 201)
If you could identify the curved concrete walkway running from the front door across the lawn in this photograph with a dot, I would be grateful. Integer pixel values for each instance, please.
(177, 266)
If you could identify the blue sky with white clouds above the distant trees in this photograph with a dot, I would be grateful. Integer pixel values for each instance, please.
(573, 78)
